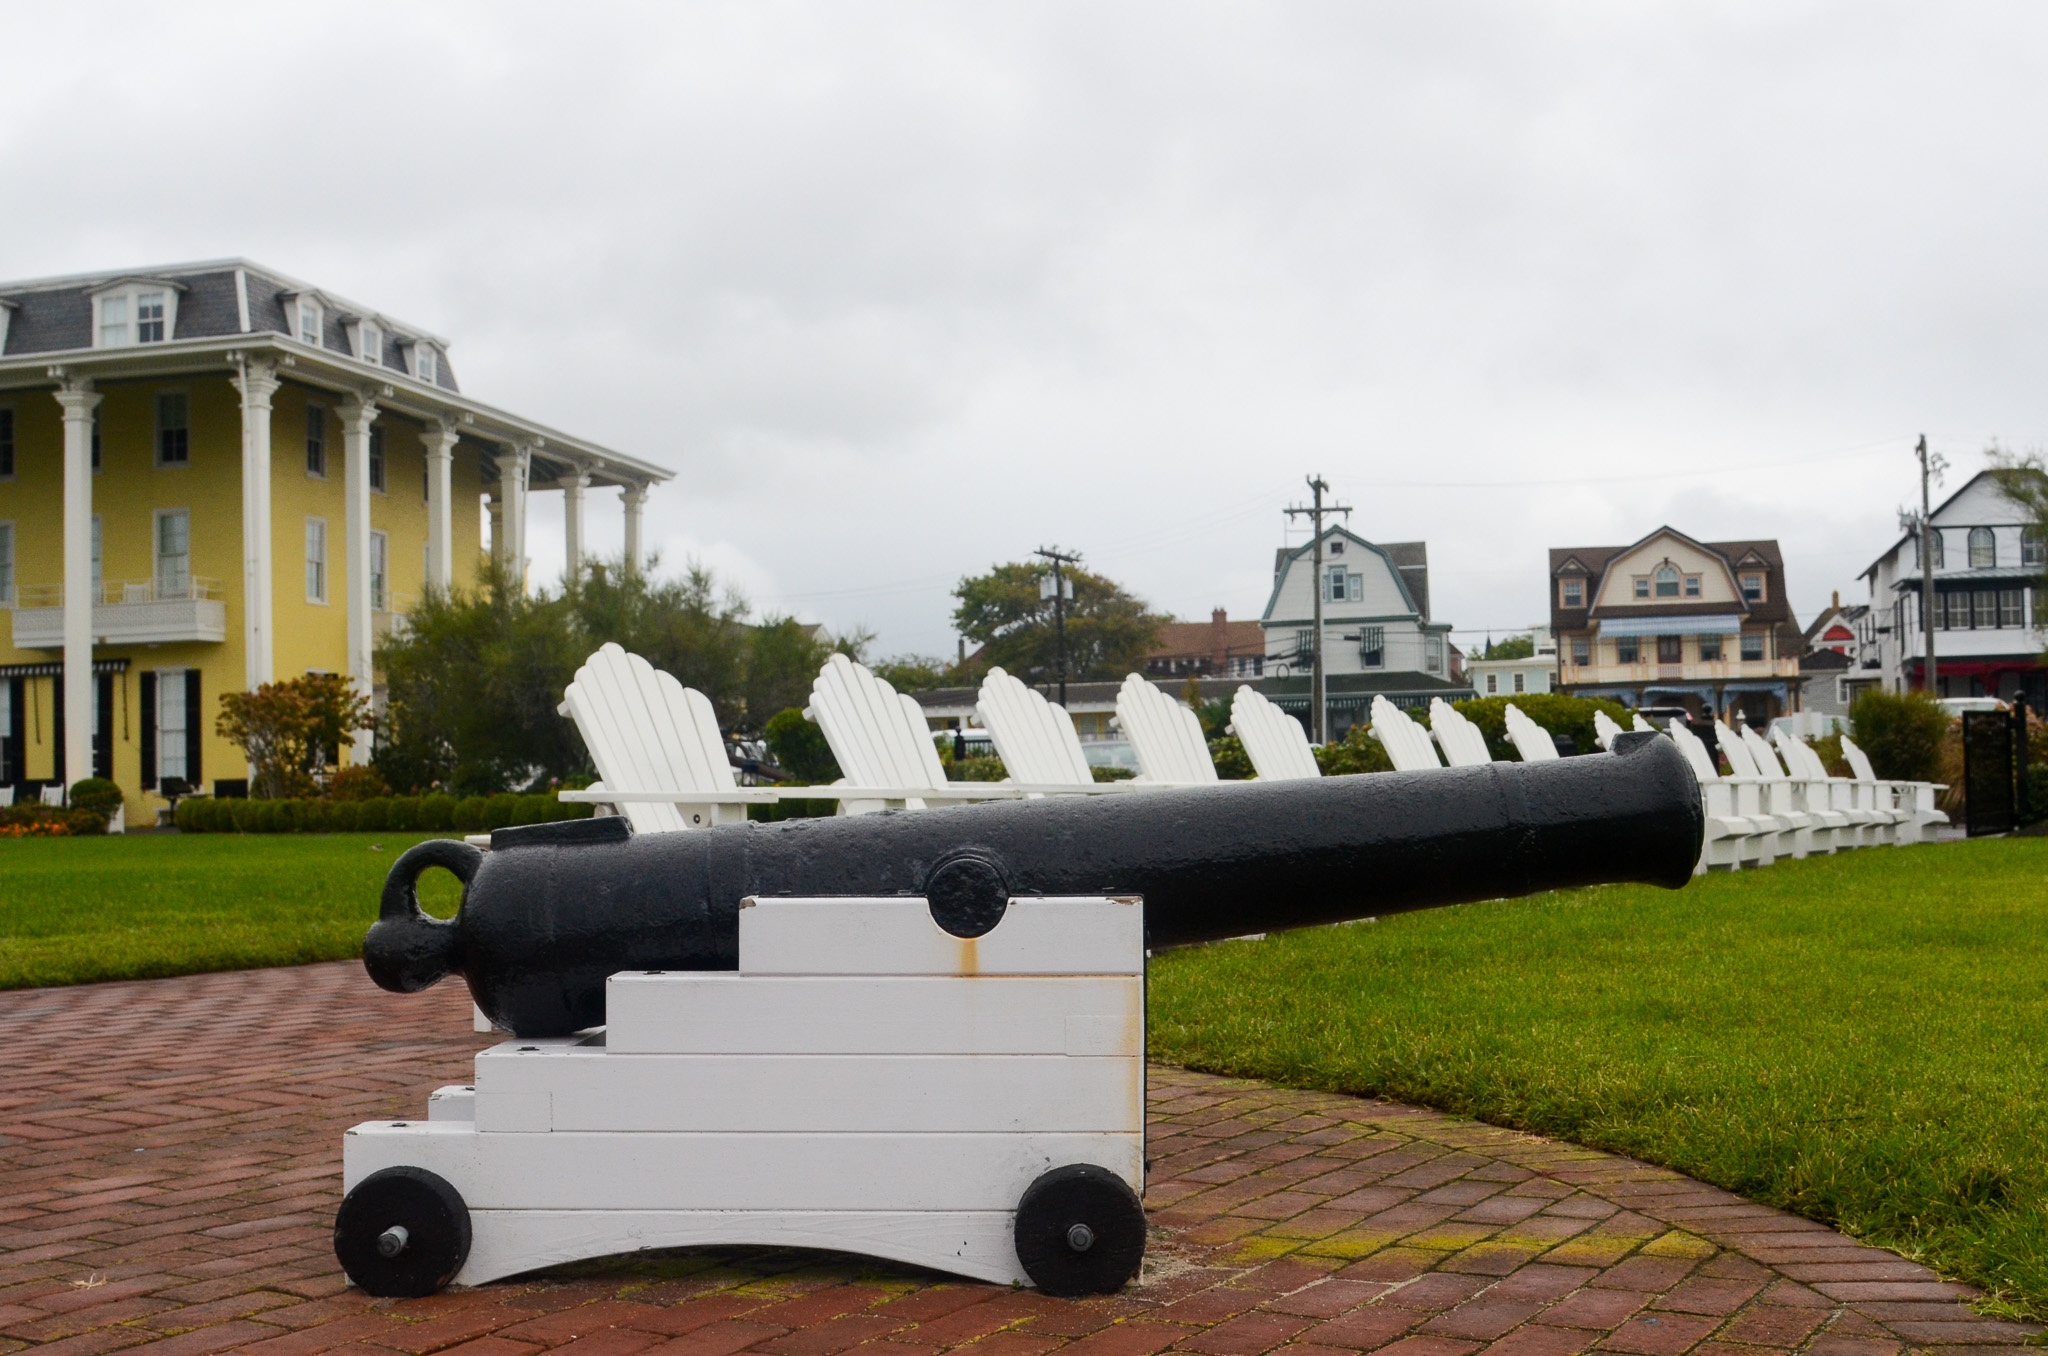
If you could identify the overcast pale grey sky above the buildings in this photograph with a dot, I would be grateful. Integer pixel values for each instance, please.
(902, 292)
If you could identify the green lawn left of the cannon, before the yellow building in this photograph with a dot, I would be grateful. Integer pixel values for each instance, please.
(77, 910)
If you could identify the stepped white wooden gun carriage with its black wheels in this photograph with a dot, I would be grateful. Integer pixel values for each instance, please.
(863, 1083)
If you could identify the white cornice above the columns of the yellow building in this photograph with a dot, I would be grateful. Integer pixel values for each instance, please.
(331, 372)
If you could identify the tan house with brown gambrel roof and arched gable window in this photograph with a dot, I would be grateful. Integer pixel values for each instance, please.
(1678, 622)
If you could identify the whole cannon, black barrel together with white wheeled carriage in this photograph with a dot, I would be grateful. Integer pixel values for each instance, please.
(910, 1035)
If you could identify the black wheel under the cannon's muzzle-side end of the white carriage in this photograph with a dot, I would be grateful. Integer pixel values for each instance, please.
(1080, 1232)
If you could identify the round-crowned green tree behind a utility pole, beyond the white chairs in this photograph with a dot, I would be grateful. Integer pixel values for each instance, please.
(1109, 632)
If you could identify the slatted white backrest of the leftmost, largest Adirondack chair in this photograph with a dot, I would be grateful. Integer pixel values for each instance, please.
(646, 732)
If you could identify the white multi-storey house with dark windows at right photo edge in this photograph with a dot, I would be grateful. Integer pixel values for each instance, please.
(1988, 568)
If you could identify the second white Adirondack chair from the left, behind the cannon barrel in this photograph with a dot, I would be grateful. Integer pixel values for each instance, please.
(884, 745)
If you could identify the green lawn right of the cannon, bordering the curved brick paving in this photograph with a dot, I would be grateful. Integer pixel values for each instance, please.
(1857, 1040)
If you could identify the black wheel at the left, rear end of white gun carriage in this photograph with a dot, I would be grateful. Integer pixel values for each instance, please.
(402, 1234)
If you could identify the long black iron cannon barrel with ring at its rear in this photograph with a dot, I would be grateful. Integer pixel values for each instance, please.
(554, 910)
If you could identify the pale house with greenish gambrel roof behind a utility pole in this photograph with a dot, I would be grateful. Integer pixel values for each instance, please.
(1377, 630)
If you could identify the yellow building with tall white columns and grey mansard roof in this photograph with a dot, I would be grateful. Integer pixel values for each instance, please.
(214, 476)
